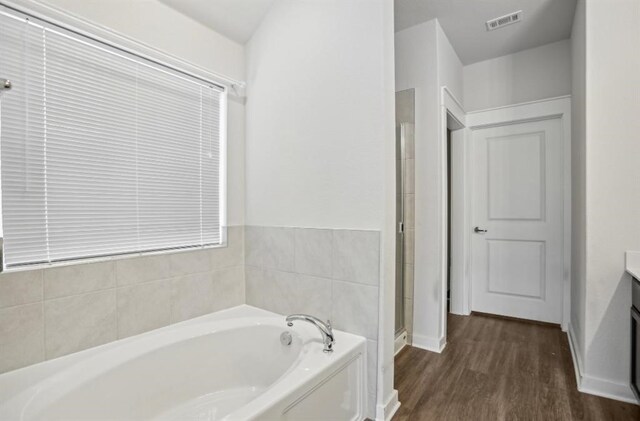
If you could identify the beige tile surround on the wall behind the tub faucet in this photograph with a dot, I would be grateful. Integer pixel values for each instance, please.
(331, 274)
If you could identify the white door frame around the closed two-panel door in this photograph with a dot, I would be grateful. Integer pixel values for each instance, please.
(546, 109)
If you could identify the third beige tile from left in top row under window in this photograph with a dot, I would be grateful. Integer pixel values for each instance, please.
(142, 269)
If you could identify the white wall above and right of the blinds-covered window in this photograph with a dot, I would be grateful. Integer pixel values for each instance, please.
(157, 25)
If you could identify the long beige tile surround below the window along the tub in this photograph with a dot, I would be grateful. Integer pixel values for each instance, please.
(47, 313)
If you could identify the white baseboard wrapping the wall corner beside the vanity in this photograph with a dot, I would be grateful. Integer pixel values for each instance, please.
(594, 385)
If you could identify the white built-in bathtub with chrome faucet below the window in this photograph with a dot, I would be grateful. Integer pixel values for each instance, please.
(228, 365)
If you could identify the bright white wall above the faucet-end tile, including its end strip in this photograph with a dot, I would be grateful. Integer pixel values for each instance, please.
(319, 135)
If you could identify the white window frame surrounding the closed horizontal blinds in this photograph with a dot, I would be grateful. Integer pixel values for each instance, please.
(93, 33)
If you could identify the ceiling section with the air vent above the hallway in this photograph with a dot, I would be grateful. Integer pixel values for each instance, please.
(543, 21)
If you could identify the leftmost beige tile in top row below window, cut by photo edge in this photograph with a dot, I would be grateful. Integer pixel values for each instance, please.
(18, 288)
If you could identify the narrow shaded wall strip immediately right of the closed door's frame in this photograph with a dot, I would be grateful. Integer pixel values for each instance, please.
(578, 179)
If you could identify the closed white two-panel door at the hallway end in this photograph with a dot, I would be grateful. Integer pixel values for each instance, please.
(517, 264)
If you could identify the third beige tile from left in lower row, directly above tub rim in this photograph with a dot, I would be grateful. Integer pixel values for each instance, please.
(143, 307)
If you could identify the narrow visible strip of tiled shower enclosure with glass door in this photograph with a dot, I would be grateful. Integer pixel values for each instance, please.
(405, 199)
